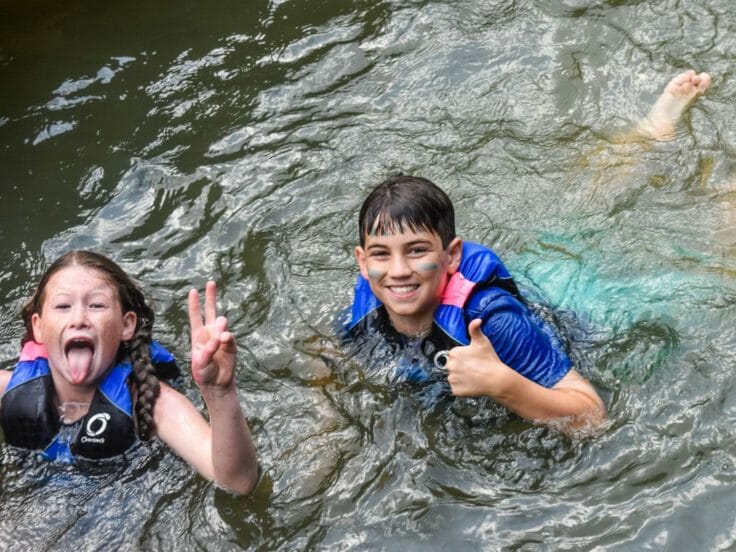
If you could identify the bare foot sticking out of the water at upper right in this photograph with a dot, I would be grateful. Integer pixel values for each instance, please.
(679, 93)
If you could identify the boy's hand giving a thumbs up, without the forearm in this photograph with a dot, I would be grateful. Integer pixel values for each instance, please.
(475, 369)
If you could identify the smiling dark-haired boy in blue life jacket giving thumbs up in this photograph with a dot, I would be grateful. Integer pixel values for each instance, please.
(421, 287)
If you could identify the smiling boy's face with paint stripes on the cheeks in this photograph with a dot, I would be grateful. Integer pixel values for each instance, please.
(408, 272)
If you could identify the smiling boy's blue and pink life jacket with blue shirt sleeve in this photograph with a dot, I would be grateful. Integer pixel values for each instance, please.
(482, 288)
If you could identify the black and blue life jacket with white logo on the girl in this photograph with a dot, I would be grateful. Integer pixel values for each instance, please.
(30, 419)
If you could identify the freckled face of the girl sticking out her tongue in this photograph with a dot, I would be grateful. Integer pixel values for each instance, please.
(81, 324)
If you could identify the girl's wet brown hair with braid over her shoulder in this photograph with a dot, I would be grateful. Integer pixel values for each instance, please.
(137, 349)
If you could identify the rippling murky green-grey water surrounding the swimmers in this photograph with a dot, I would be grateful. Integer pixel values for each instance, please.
(236, 141)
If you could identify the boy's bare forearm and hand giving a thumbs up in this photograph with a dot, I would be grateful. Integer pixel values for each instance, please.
(476, 370)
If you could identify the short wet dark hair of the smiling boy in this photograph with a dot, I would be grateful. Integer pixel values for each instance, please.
(407, 202)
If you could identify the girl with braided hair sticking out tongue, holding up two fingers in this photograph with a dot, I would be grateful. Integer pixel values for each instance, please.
(88, 330)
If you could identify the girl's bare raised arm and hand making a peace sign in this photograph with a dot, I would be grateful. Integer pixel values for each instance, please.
(223, 450)
